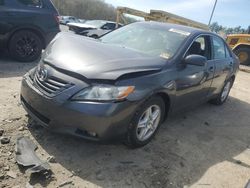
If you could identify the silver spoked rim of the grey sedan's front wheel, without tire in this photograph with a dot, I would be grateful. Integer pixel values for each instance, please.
(148, 122)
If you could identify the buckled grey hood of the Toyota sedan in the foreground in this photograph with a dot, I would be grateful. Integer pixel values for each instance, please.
(96, 60)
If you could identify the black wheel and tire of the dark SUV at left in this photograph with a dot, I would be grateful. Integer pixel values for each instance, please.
(25, 46)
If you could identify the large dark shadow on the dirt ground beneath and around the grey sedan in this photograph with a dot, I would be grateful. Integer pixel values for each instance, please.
(185, 147)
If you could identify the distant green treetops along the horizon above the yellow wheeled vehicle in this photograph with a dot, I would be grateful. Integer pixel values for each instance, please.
(215, 27)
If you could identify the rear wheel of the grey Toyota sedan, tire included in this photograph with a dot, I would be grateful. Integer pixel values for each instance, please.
(222, 97)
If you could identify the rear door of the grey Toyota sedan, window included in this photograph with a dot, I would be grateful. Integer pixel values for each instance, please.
(223, 64)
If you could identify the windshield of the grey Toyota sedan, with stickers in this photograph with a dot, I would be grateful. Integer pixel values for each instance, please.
(150, 39)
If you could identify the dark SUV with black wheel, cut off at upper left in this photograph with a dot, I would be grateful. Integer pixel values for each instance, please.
(26, 27)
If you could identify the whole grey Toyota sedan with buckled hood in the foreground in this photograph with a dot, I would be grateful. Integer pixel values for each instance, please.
(126, 83)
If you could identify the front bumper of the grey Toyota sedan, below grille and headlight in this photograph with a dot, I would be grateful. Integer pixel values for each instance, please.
(107, 120)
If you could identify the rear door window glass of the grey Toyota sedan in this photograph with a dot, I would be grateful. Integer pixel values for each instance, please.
(218, 48)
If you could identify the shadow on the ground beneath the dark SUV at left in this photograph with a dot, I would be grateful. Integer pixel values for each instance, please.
(11, 68)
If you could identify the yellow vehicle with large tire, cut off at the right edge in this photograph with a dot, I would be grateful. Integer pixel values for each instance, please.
(240, 43)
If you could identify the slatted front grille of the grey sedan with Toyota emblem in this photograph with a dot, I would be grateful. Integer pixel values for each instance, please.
(52, 85)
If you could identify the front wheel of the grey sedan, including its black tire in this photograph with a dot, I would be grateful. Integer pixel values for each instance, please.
(133, 139)
